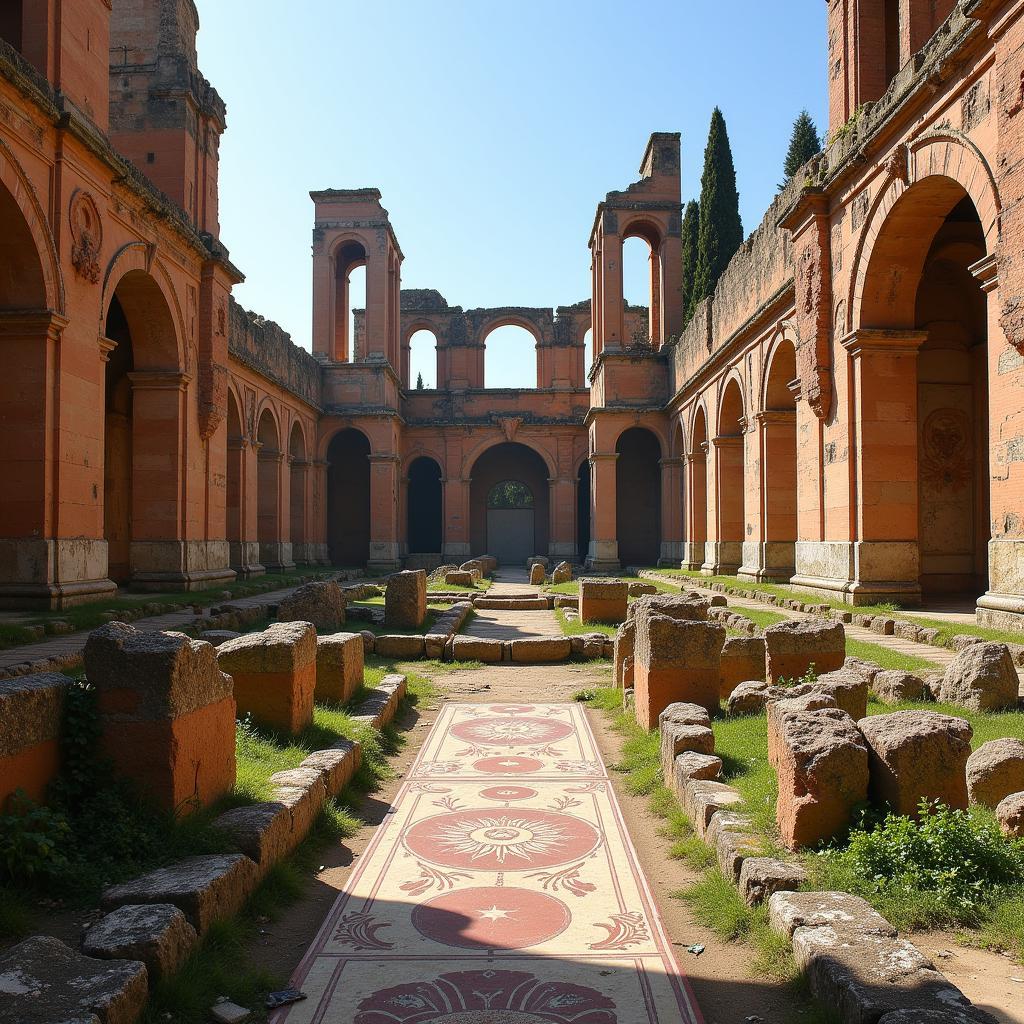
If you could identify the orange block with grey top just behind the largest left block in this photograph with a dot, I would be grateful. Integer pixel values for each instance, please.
(275, 674)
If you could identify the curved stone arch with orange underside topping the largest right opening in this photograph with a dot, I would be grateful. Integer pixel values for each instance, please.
(932, 176)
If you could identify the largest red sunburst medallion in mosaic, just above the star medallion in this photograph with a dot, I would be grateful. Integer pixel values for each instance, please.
(486, 839)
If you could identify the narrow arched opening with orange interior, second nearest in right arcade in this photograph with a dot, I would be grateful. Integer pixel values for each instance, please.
(779, 465)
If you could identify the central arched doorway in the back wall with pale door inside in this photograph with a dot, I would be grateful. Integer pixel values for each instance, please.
(509, 503)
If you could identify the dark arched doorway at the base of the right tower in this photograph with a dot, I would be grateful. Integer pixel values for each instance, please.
(638, 497)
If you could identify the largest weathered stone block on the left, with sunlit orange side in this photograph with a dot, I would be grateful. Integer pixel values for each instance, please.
(167, 713)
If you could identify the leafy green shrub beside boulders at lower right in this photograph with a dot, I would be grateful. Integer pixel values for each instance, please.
(947, 870)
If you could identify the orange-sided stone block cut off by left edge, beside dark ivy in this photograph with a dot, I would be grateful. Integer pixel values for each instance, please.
(31, 711)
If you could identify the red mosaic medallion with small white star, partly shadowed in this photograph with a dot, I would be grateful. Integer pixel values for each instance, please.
(492, 918)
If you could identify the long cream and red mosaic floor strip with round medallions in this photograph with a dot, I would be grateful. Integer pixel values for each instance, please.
(502, 889)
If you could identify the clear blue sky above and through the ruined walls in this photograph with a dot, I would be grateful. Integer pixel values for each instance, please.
(493, 131)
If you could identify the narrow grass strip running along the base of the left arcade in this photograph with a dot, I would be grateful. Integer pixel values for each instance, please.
(91, 617)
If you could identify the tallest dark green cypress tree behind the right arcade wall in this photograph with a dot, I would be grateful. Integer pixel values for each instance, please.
(721, 230)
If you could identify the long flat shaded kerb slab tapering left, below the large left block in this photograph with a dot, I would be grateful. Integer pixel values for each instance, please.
(206, 888)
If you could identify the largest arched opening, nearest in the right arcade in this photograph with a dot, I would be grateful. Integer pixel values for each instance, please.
(925, 480)
